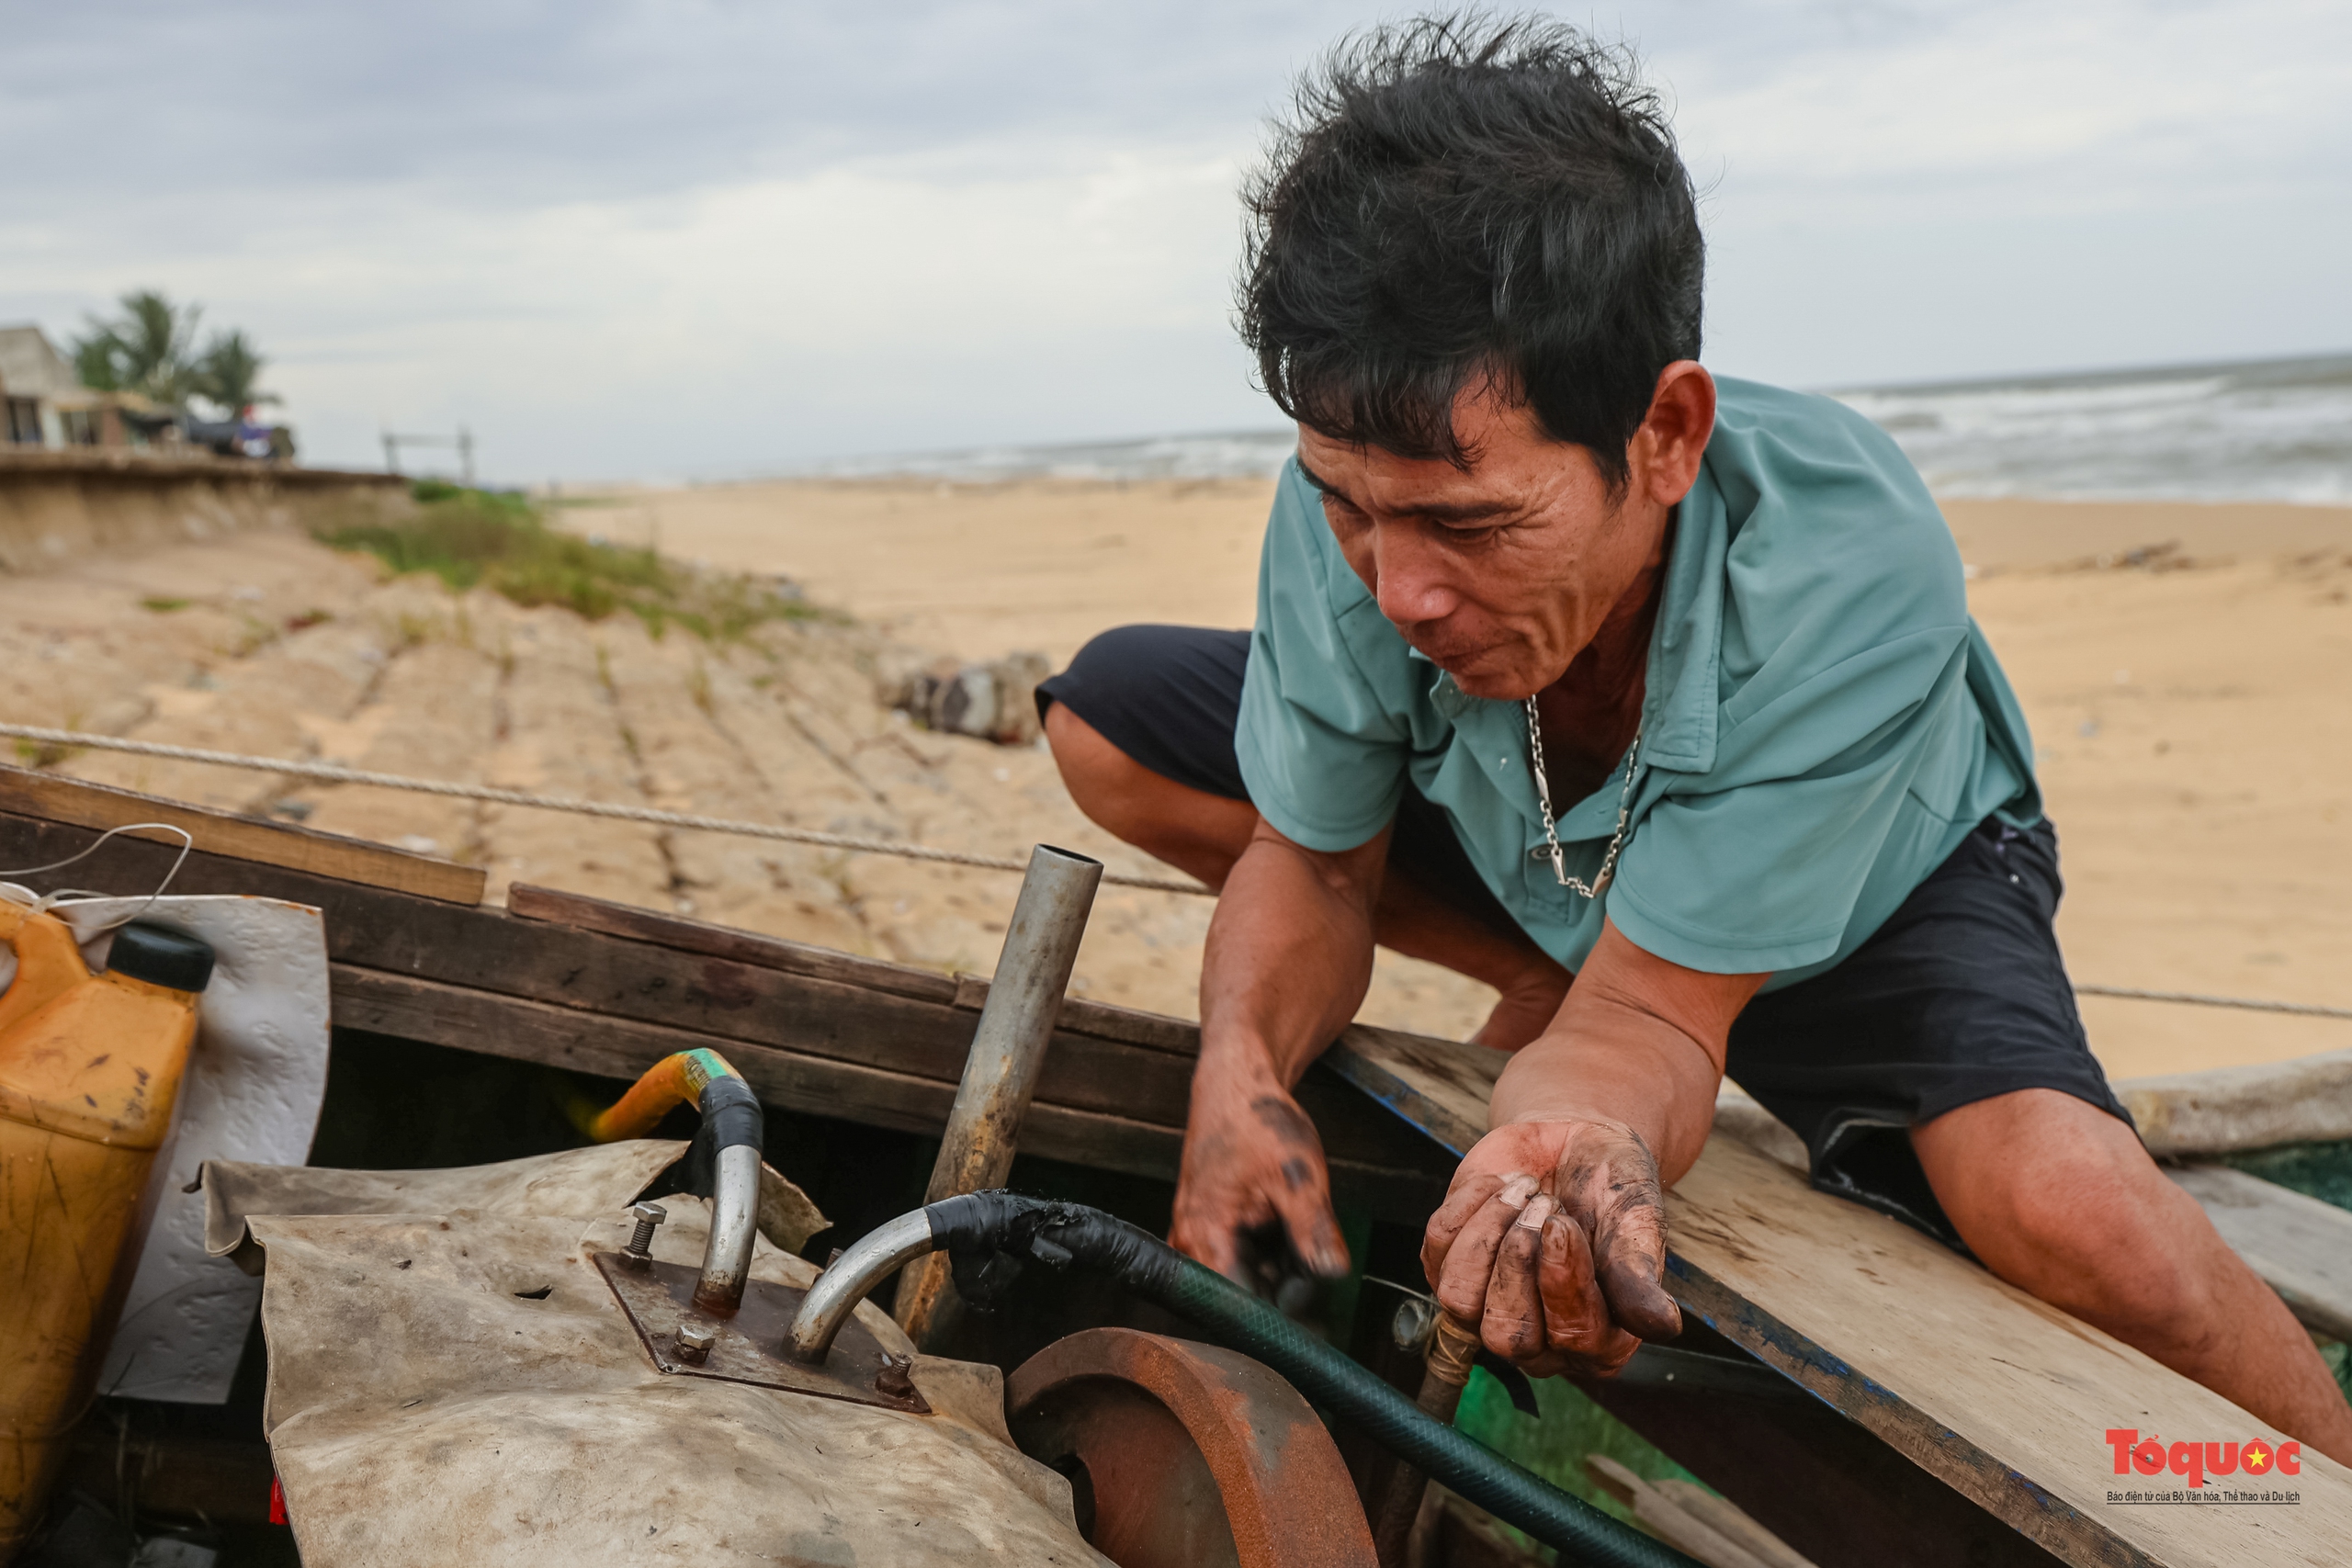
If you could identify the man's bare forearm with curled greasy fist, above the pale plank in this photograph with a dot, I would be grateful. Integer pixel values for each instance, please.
(1553, 1235)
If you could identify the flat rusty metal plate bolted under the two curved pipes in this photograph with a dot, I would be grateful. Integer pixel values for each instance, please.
(657, 1299)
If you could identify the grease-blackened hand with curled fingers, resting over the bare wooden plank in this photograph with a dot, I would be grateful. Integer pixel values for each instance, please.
(1553, 1242)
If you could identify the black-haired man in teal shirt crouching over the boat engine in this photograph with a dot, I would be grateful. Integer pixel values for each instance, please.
(1652, 702)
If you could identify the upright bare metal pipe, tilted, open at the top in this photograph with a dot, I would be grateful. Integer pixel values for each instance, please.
(1008, 1050)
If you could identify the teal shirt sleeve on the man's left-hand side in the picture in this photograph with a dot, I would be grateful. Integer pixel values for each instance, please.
(1323, 756)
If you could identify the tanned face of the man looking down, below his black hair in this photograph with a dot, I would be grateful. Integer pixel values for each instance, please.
(1506, 570)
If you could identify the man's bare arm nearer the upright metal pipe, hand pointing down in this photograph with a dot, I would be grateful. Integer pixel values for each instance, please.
(1288, 963)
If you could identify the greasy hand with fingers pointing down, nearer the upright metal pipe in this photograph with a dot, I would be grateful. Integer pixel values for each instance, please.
(1250, 1160)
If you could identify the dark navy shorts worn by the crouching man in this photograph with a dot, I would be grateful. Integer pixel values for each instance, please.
(1958, 998)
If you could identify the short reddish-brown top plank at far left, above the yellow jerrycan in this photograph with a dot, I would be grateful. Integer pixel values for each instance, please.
(241, 838)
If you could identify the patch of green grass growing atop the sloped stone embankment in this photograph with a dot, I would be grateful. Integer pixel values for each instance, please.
(502, 542)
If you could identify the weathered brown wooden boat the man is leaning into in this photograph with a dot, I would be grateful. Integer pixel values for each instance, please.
(1859, 1391)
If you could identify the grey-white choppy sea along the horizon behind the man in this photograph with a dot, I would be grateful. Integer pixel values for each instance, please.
(2236, 431)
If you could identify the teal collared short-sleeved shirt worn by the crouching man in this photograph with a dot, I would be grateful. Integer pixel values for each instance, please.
(1822, 725)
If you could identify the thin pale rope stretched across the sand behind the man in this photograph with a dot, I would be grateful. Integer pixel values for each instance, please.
(326, 772)
